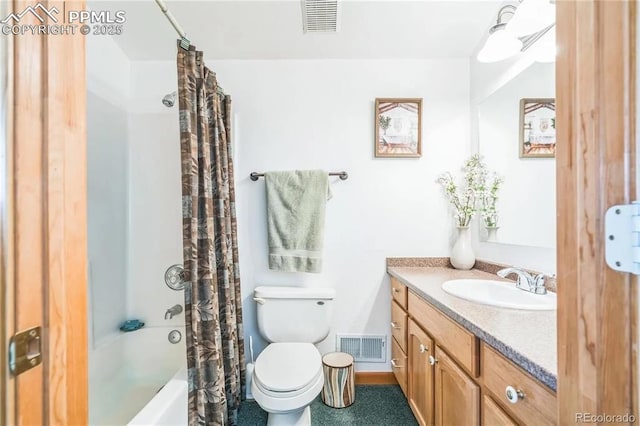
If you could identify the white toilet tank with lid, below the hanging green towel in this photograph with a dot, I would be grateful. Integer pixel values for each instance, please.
(294, 314)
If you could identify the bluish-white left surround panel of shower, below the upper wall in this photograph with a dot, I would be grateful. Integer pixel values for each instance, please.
(107, 215)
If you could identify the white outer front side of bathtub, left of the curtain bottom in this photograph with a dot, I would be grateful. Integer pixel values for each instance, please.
(168, 407)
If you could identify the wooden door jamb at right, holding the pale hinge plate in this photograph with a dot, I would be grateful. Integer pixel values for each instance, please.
(596, 168)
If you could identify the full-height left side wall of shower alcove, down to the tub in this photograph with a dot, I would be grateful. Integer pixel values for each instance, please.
(107, 197)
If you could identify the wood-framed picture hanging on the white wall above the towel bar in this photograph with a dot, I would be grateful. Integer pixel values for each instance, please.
(398, 127)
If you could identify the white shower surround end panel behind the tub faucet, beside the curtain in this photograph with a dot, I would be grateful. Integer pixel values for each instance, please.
(155, 236)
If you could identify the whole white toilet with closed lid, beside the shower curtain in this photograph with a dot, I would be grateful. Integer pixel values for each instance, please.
(288, 373)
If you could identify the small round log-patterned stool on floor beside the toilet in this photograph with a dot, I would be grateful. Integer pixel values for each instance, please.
(339, 383)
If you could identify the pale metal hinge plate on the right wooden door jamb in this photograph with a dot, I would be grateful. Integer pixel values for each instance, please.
(622, 237)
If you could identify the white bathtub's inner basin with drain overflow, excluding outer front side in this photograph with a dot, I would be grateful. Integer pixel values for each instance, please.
(127, 371)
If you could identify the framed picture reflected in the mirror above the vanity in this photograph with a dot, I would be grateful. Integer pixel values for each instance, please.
(538, 128)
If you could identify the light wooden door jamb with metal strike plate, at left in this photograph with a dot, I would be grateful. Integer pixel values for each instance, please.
(44, 210)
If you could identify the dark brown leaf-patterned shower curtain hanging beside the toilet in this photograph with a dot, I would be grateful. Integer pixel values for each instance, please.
(213, 305)
